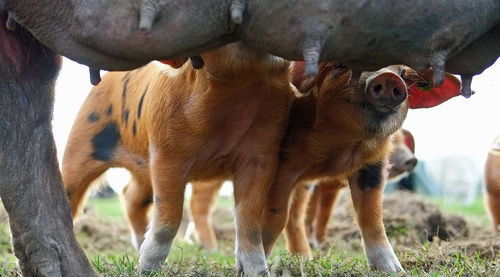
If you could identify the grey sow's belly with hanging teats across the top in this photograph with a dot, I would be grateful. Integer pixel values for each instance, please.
(99, 34)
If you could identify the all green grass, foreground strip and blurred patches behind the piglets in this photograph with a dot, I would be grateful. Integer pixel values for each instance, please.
(188, 259)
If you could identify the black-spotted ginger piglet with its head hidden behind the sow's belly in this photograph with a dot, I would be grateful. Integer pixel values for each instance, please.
(171, 126)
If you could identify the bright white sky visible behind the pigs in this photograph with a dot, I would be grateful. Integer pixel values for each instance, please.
(458, 131)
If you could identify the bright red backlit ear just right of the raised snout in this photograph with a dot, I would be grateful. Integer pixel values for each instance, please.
(427, 97)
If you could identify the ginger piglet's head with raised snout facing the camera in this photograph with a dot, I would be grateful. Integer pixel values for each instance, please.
(373, 104)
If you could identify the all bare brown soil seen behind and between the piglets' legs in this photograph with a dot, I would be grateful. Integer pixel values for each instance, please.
(411, 222)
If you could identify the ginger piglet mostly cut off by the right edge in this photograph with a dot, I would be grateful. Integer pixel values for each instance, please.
(492, 183)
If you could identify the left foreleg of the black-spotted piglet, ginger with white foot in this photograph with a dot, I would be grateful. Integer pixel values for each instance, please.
(168, 183)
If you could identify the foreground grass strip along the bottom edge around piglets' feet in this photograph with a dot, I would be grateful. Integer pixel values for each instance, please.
(333, 263)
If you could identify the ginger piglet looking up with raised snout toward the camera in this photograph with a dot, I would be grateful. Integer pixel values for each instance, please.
(341, 131)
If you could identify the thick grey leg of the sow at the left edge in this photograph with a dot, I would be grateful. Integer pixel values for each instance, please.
(30, 183)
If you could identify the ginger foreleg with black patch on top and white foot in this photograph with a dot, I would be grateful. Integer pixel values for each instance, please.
(366, 191)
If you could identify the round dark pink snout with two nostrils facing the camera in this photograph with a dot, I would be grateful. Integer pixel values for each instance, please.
(387, 90)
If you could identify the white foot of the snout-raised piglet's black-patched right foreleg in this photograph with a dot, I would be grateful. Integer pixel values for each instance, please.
(383, 259)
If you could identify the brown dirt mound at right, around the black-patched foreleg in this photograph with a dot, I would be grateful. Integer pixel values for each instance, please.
(411, 221)
